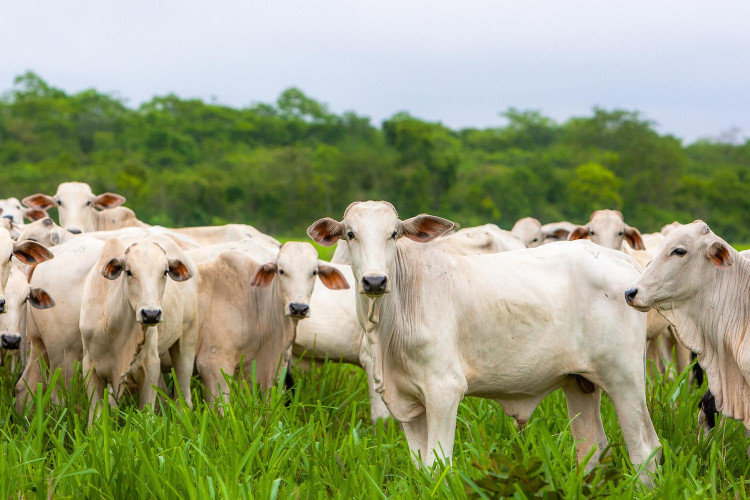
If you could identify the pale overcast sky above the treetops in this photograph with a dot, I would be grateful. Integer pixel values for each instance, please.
(684, 64)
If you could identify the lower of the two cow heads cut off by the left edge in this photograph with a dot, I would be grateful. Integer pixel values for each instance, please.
(18, 293)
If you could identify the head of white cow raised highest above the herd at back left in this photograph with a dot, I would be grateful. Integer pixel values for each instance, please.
(76, 205)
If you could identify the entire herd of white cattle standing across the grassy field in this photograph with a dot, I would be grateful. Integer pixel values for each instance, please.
(431, 314)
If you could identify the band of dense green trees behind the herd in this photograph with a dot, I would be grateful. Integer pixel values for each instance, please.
(281, 166)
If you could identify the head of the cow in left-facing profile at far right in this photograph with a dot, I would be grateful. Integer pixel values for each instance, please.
(689, 257)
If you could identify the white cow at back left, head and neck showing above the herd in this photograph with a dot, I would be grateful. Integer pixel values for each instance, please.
(77, 208)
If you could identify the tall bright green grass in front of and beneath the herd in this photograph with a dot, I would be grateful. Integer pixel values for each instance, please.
(322, 444)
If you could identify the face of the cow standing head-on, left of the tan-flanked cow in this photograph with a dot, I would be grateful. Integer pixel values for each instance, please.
(145, 268)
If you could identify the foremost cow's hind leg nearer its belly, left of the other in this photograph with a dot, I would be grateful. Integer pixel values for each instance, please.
(584, 412)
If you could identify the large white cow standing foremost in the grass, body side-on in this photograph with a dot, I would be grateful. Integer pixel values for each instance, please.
(500, 326)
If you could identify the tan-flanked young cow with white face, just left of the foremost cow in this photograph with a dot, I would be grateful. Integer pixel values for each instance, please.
(252, 310)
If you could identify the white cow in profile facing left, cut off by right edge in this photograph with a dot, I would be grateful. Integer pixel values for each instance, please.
(700, 284)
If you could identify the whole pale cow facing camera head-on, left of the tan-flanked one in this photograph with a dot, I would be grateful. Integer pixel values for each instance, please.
(138, 303)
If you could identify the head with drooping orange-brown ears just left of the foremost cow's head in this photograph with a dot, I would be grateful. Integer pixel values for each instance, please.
(295, 268)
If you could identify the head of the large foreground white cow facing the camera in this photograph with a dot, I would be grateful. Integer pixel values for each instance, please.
(371, 230)
